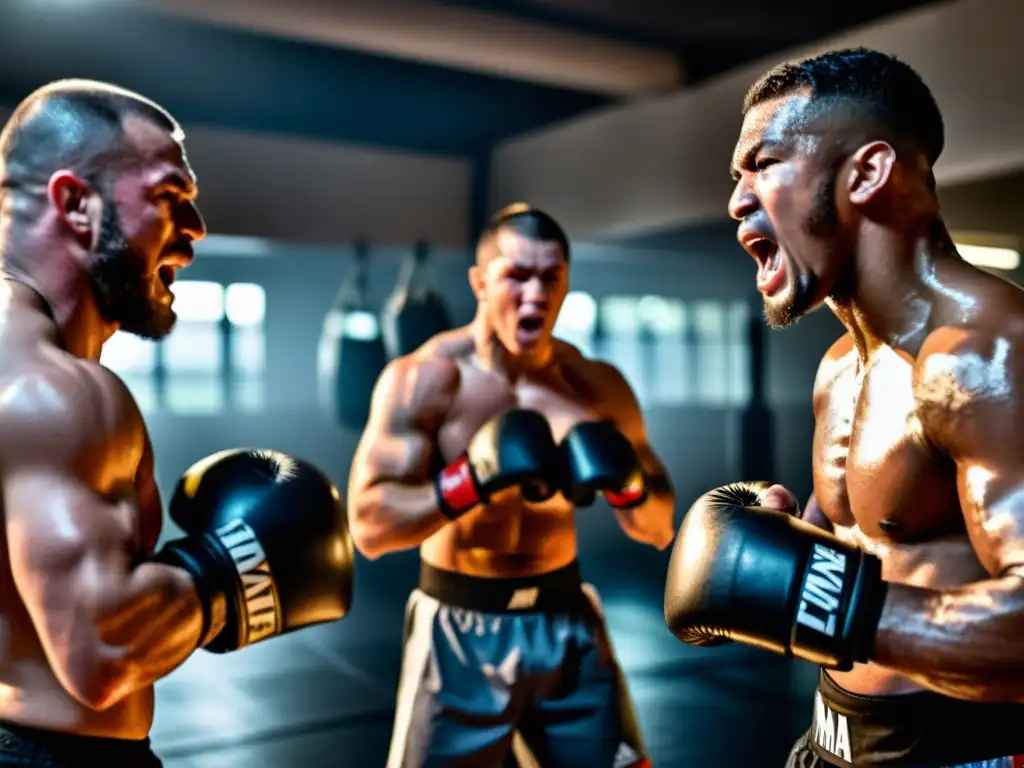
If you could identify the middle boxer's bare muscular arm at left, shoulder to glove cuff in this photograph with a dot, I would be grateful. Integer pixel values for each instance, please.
(393, 501)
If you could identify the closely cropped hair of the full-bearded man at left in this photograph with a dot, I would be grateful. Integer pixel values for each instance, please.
(73, 124)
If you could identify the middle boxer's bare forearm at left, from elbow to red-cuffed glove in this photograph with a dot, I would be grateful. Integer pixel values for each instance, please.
(394, 517)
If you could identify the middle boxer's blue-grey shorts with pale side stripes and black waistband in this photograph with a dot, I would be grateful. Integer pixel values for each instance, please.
(516, 672)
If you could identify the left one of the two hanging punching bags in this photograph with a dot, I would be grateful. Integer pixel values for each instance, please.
(352, 351)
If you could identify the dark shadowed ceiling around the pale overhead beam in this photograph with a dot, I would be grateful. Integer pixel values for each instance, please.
(228, 73)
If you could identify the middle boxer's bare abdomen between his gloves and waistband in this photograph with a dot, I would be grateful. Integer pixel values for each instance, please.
(506, 539)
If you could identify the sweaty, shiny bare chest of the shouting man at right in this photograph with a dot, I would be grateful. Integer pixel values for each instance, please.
(873, 464)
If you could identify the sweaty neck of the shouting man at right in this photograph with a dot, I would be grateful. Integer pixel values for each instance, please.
(891, 294)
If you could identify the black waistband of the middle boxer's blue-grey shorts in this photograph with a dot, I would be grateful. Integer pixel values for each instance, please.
(556, 591)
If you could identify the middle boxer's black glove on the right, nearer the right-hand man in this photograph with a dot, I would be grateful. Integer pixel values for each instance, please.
(598, 457)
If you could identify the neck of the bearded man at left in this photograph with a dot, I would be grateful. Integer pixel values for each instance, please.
(62, 290)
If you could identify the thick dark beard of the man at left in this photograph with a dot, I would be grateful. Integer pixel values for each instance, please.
(122, 286)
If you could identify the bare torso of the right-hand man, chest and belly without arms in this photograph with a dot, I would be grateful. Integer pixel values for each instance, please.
(884, 487)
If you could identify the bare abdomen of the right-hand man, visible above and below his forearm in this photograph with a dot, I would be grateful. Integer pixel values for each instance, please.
(942, 564)
